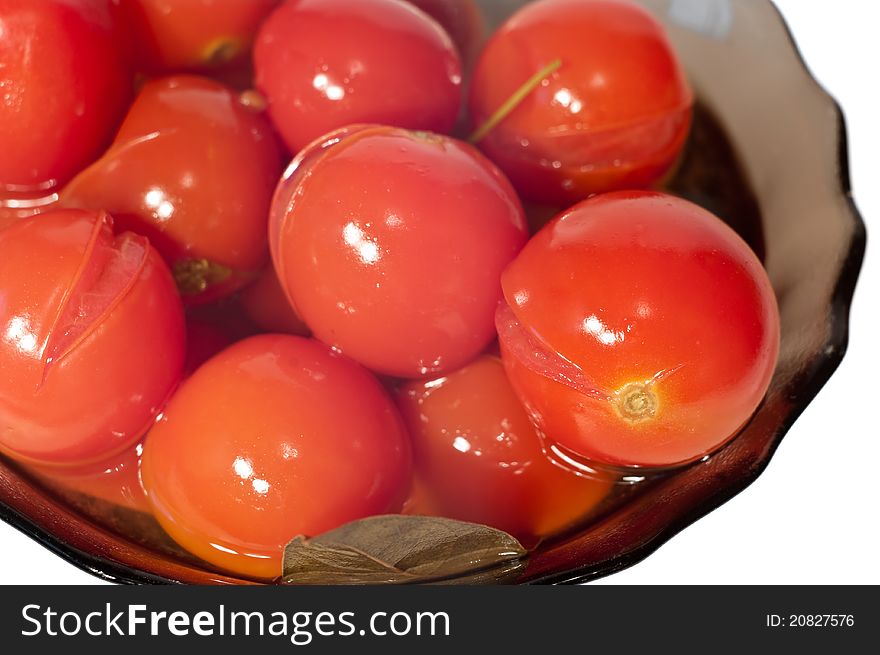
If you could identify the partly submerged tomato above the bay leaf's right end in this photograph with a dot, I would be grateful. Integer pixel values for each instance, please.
(480, 459)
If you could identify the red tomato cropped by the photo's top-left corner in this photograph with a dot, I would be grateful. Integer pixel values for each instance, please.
(64, 86)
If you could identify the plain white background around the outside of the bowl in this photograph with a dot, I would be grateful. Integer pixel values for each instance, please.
(812, 516)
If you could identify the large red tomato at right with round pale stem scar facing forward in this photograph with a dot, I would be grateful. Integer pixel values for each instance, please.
(639, 330)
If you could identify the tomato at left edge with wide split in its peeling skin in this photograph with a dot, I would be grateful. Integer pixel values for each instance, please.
(91, 338)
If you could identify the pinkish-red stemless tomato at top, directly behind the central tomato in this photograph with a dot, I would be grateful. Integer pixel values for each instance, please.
(324, 64)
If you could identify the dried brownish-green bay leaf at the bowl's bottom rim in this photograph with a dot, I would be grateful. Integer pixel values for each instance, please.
(403, 549)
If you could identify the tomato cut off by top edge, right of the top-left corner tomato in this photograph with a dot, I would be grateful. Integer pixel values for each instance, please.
(194, 35)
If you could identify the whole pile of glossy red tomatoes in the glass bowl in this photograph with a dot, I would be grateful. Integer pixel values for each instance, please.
(250, 353)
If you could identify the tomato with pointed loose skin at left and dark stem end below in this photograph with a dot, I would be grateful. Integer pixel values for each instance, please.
(193, 169)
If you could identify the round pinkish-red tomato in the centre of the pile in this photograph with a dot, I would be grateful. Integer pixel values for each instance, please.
(391, 243)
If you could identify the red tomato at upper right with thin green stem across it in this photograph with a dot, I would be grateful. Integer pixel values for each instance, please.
(614, 115)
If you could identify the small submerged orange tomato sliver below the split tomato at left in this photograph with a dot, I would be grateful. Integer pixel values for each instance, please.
(115, 479)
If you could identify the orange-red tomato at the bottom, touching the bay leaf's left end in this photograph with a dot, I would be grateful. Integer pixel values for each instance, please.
(276, 436)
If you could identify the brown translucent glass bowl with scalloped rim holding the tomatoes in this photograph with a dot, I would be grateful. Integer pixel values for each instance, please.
(767, 154)
